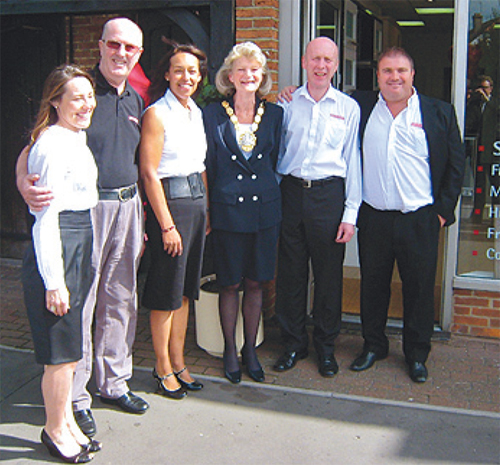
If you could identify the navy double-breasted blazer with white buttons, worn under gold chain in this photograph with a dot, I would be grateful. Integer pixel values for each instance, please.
(244, 194)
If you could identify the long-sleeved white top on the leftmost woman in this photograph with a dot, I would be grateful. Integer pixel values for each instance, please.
(67, 167)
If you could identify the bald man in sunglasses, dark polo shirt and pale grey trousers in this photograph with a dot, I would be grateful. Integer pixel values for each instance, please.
(113, 138)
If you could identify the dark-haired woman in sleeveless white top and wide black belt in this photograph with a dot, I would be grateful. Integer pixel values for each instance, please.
(172, 156)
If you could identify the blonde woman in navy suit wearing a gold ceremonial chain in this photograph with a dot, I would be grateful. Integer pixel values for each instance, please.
(243, 137)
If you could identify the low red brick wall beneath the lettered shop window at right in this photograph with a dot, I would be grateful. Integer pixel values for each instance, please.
(476, 313)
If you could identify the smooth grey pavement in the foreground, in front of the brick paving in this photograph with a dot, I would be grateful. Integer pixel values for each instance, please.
(250, 423)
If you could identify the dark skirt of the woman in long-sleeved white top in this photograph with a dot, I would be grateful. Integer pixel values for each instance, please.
(58, 339)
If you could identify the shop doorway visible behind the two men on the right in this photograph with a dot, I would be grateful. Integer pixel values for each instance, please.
(362, 29)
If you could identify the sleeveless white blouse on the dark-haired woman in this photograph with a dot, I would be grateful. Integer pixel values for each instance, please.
(185, 143)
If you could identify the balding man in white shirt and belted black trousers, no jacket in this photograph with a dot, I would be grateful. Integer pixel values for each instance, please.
(321, 194)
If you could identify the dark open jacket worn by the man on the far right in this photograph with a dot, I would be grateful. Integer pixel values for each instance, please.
(446, 149)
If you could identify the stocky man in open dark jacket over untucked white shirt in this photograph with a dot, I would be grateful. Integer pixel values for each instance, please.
(413, 164)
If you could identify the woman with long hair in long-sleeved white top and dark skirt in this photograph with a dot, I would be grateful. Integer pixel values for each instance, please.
(57, 282)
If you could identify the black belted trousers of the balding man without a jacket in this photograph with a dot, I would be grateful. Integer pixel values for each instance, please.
(311, 217)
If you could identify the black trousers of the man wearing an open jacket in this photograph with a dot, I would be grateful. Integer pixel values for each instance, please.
(411, 240)
